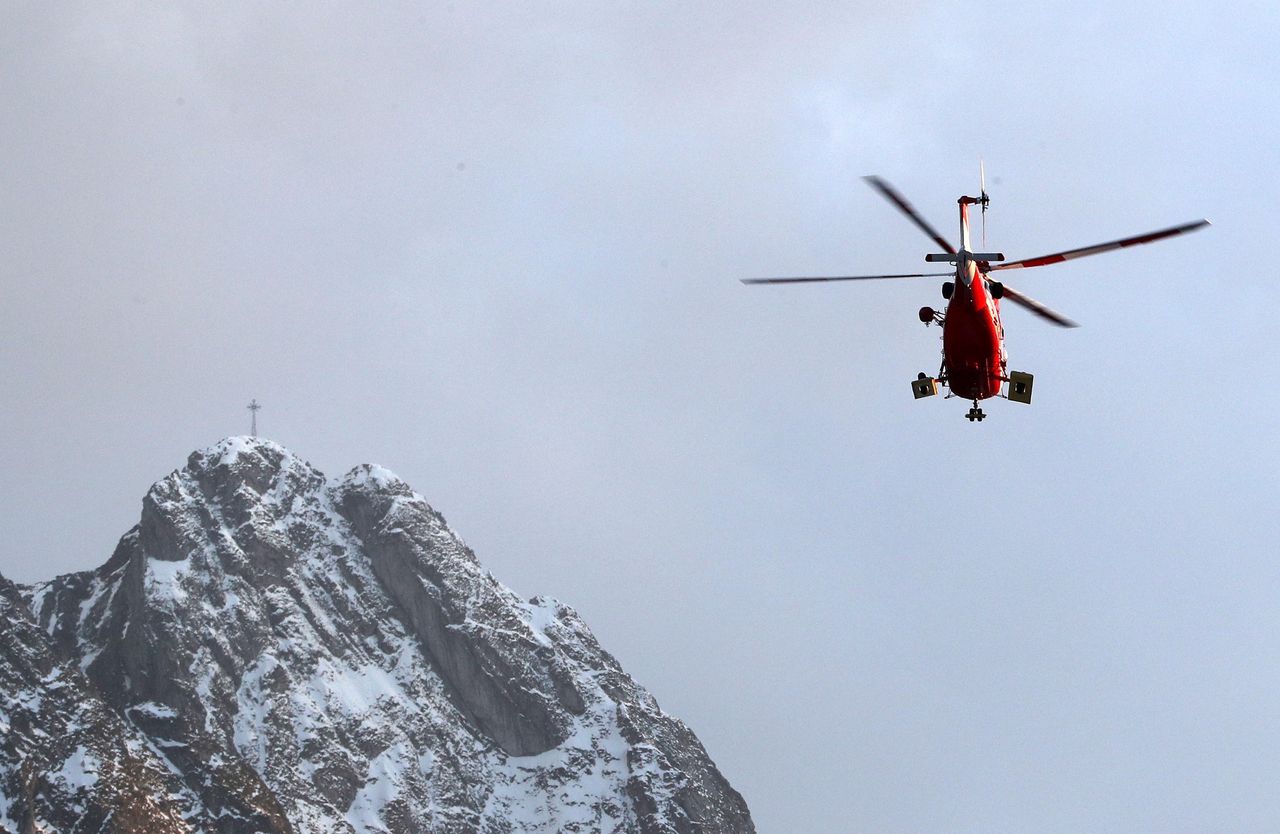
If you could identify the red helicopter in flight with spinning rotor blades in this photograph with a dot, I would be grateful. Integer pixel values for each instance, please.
(975, 365)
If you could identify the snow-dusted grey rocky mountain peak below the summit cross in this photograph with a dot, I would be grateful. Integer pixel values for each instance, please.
(273, 652)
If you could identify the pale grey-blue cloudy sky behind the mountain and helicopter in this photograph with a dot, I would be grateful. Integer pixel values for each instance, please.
(496, 249)
